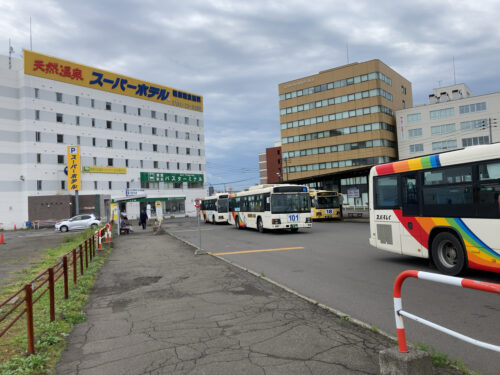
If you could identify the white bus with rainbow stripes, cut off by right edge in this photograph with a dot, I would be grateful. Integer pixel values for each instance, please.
(445, 207)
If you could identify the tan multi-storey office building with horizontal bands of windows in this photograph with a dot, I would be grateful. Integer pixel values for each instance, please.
(338, 123)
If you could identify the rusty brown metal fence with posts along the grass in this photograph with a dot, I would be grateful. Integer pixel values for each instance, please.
(45, 282)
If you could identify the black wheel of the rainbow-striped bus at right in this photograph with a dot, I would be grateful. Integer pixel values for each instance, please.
(448, 254)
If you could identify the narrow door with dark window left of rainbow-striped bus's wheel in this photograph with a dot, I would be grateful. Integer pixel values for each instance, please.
(411, 197)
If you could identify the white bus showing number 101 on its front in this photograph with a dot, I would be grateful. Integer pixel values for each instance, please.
(271, 207)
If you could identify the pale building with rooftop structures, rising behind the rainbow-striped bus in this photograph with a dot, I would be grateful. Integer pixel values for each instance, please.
(453, 119)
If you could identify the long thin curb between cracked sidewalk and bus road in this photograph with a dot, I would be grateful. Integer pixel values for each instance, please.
(339, 313)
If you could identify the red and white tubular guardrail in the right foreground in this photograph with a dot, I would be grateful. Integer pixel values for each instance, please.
(443, 279)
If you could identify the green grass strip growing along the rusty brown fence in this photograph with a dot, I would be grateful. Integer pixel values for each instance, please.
(50, 337)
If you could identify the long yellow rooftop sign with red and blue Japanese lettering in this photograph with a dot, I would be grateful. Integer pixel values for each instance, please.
(45, 66)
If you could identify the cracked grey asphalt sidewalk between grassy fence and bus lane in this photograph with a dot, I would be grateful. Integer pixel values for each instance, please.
(156, 308)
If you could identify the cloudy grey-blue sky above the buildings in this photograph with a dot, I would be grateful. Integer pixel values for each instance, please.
(235, 53)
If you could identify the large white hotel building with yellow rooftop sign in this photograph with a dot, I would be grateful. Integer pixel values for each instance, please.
(133, 136)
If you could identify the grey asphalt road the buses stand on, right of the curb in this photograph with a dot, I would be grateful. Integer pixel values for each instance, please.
(335, 265)
